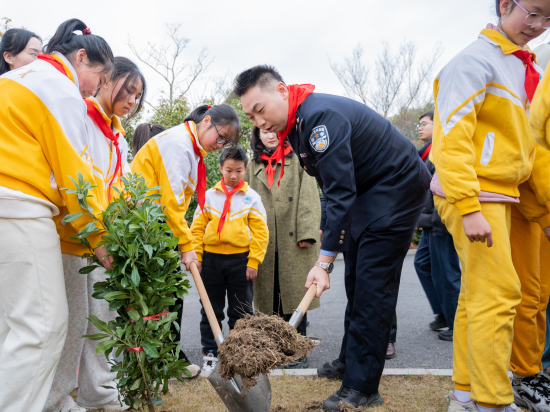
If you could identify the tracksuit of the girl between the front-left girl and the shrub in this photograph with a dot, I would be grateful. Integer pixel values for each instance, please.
(94, 371)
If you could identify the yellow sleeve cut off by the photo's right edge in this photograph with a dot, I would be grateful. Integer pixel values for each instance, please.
(539, 113)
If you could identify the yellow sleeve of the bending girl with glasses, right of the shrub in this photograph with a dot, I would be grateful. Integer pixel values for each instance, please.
(149, 163)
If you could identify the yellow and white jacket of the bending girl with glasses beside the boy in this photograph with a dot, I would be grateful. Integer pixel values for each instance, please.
(168, 160)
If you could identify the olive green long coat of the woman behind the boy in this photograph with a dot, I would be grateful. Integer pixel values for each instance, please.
(293, 215)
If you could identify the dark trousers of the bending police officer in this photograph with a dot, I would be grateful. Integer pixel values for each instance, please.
(372, 276)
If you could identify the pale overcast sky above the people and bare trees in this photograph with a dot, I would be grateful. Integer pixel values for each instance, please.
(297, 36)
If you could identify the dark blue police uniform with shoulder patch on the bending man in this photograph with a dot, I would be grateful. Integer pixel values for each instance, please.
(375, 185)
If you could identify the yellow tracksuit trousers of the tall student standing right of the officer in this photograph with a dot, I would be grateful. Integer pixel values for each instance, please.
(484, 320)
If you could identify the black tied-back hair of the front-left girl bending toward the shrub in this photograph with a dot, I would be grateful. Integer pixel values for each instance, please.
(67, 43)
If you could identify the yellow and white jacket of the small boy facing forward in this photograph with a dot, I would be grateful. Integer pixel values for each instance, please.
(244, 229)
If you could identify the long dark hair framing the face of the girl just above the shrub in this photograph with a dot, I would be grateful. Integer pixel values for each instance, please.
(126, 67)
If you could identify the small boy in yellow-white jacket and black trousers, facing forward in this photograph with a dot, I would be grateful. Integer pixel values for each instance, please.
(230, 238)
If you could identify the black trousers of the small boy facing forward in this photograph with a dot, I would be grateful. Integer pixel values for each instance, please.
(223, 274)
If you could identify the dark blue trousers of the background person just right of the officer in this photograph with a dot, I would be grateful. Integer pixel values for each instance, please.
(438, 268)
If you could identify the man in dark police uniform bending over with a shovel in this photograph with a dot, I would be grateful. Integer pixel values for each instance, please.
(375, 185)
